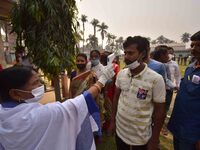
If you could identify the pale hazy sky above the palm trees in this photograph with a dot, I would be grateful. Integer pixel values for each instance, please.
(150, 18)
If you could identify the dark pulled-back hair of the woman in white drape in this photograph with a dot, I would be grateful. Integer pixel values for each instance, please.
(13, 78)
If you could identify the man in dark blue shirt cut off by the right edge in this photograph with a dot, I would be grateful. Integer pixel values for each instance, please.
(184, 123)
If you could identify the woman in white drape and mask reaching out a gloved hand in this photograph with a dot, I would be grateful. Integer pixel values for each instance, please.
(27, 125)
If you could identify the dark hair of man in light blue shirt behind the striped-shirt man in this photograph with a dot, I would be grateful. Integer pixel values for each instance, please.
(159, 50)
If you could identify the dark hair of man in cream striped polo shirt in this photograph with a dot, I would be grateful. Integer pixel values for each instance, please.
(141, 42)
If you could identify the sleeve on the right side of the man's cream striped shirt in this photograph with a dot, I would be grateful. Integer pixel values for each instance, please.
(159, 90)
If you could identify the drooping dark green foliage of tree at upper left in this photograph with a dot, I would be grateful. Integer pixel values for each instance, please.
(49, 31)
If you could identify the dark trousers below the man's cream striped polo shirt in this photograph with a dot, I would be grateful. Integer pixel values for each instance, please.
(123, 146)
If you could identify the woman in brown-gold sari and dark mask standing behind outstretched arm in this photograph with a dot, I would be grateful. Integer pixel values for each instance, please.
(81, 79)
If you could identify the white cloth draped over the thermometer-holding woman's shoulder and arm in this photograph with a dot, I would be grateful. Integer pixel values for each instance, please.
(55, 126)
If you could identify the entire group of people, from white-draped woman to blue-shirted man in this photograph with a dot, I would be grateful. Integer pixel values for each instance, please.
(131, 103)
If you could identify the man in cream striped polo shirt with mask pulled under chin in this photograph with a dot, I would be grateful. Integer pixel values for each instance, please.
(139, 100)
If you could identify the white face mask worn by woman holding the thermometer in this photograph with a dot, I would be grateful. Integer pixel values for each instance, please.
(37, 93)
